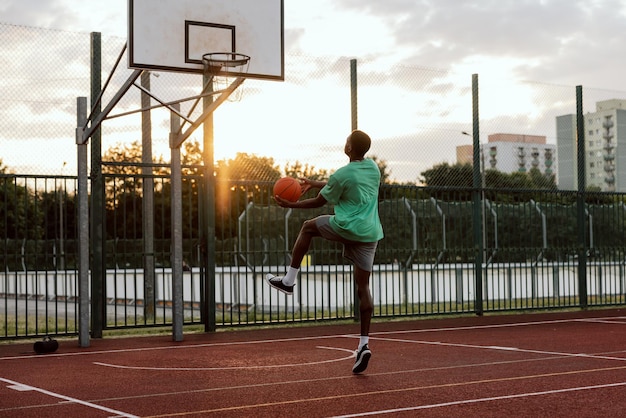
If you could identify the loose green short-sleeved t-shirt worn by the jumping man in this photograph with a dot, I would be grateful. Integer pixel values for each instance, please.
(353, 189)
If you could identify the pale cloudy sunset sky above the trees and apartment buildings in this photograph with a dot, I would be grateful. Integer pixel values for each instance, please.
(415, 59)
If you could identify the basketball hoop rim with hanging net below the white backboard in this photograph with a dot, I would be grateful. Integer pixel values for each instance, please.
(224, 67)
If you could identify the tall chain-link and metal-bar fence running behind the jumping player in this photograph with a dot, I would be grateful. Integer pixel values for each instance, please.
(421, 121)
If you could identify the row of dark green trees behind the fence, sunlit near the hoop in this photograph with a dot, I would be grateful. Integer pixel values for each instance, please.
(431, 224)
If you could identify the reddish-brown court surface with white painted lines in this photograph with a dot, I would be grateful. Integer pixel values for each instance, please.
(531, 365)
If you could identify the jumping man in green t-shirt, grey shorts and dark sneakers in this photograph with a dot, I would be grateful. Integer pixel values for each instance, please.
(353, 190)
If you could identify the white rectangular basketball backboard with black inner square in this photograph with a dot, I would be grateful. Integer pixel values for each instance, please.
(172, 35)
